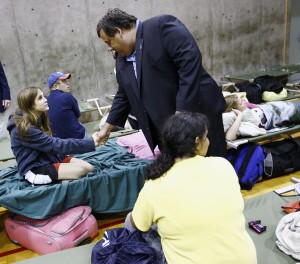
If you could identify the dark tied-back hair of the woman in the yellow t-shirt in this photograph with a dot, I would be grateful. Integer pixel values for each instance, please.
(178, 140)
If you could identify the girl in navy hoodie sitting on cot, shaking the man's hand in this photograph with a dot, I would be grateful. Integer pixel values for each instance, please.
(40, 157)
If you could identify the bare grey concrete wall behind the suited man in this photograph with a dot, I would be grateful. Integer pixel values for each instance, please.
(38, 37)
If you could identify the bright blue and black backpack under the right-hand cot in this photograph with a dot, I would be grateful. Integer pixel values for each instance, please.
(248, 164)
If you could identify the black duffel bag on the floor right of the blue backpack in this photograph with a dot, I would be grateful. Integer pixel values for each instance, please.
(281, 157)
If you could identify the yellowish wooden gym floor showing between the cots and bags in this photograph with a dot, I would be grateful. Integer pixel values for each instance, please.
(10, 252)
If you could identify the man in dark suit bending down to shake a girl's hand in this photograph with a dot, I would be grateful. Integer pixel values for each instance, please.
(159, 71)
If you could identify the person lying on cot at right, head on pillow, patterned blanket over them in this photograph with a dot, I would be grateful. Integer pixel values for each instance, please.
(242, 118)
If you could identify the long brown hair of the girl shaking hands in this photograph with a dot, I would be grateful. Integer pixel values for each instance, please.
(25, 100)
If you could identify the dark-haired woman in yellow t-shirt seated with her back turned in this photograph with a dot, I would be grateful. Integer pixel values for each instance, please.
(194, 200)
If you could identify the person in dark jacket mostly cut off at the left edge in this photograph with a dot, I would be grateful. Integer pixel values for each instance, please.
(4, 101)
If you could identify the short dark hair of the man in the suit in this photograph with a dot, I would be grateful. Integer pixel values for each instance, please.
(113, 19)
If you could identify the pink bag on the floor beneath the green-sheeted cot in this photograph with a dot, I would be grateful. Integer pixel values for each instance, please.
(69, 229)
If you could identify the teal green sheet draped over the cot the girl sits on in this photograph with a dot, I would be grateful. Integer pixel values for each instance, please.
(113, 187)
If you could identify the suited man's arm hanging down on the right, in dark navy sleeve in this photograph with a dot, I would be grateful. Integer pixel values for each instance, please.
(185, 54)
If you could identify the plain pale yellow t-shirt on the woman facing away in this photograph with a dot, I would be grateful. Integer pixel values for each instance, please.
(198, 208)
